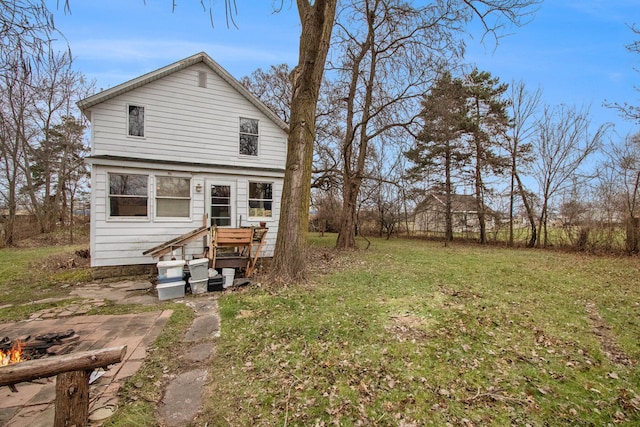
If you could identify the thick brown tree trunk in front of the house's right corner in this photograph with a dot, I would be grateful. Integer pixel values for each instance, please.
(317, 22)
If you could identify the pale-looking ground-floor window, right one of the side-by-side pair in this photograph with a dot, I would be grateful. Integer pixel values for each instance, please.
(173, 196)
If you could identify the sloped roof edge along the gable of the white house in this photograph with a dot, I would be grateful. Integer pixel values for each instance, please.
(201, 57)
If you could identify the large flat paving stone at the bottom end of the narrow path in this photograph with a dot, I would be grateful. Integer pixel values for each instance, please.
(183, 398)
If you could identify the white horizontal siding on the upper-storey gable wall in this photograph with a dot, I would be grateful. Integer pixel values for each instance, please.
(186, 123)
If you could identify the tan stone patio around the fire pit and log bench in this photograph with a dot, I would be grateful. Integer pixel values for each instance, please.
(33, 404)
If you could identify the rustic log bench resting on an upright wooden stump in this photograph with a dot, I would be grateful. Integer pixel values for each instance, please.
(72, 380)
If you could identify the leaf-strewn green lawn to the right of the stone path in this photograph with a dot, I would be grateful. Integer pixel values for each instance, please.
(413, 333)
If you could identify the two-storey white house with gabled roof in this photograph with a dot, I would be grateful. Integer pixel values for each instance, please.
(175, 149)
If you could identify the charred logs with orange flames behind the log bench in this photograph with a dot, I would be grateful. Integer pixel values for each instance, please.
(29, 348)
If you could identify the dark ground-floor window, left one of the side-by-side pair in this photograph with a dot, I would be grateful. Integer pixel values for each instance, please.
(128, 195)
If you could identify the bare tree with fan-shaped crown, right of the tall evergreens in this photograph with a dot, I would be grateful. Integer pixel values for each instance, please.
(562, 146)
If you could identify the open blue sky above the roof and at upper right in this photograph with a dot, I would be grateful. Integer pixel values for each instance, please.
(573, 49)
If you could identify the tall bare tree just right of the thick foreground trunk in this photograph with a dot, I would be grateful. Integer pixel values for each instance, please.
(388, 50)
